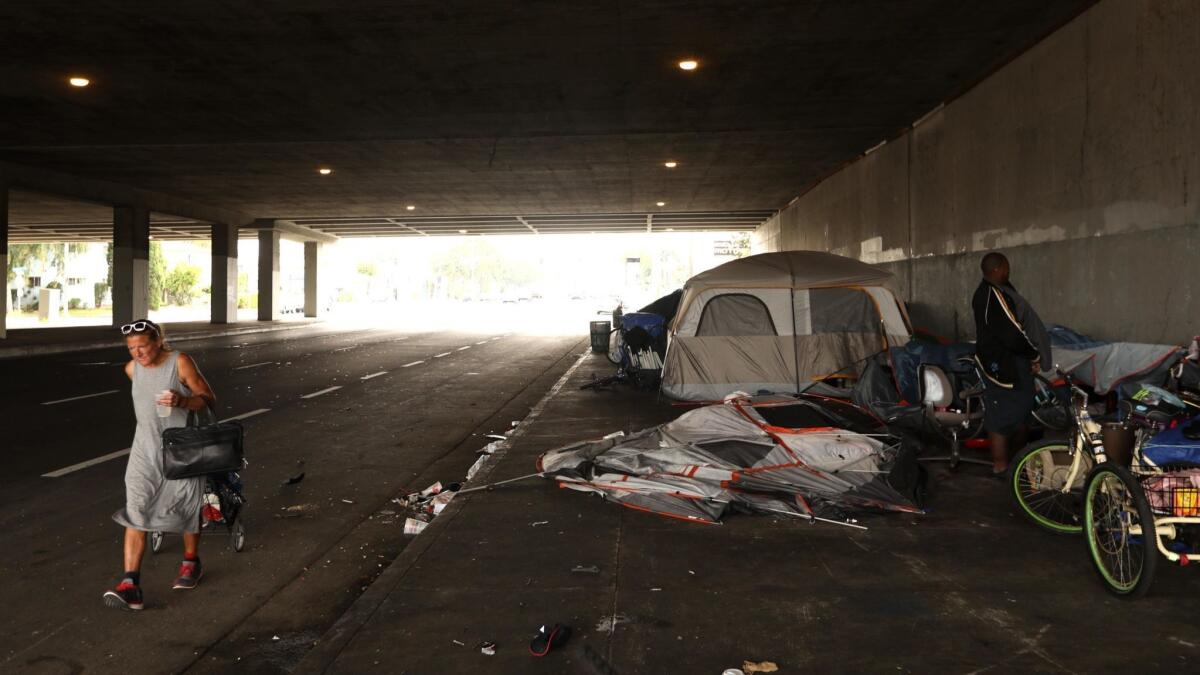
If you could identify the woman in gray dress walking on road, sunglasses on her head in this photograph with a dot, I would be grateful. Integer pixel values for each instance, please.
(166, 386)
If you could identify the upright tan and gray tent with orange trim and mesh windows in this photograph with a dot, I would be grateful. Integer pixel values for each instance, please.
(778, 322)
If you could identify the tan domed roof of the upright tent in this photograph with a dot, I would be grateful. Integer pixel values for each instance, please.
(793, 270)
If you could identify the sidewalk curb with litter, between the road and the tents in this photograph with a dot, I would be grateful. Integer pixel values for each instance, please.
(332, 644)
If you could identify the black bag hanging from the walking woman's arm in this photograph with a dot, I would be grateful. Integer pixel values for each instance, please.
(205, 446)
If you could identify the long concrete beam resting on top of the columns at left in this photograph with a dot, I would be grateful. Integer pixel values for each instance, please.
(106, 193)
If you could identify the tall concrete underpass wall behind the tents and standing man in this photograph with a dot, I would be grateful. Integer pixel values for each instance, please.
(1081, 160)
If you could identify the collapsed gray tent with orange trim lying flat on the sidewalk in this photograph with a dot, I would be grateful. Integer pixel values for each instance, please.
(765, 455)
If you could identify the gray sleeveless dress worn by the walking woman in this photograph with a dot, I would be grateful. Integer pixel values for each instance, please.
(152, 501)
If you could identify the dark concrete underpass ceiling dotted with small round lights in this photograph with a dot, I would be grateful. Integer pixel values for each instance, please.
(524, 110)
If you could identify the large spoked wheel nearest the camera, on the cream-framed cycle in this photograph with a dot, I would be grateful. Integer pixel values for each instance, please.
(1114, 505)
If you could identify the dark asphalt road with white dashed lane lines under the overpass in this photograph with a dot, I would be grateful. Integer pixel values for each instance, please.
(370, 414)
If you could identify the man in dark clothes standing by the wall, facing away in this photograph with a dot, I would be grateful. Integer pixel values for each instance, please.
(1011, 347)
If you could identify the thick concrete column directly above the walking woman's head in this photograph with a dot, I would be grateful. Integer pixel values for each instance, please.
(131, 264)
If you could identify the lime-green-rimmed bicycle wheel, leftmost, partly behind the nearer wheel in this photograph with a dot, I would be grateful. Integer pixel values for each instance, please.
(1037, 477)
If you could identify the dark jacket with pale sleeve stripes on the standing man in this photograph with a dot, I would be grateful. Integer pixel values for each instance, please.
(1010, 334)
